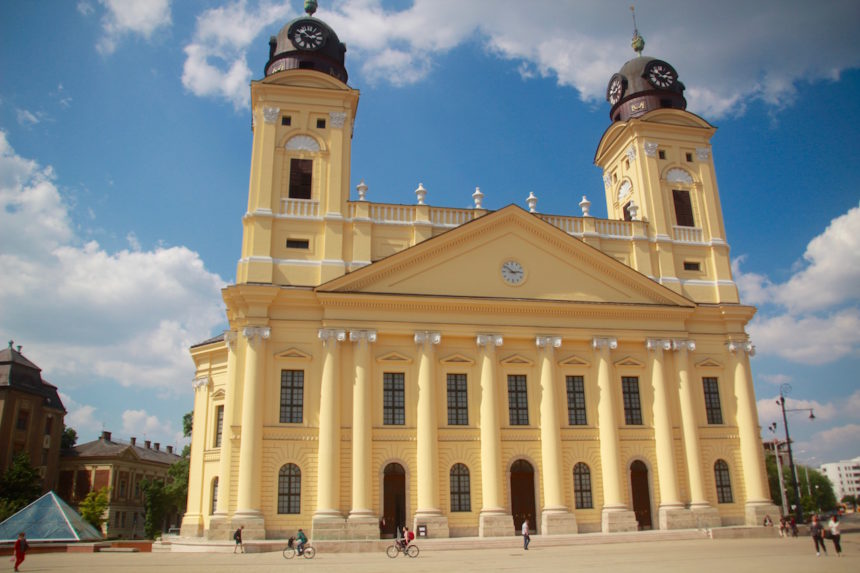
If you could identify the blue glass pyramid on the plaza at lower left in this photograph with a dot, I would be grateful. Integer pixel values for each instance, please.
(49, 518)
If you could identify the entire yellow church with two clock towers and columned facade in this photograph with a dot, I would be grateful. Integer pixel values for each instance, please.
(463, 370)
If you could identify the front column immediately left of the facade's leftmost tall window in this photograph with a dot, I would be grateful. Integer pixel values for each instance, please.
(251, 446)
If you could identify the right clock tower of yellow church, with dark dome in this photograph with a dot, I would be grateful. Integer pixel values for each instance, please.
(658, 168)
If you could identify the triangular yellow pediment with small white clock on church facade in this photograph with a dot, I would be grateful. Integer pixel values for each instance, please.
(548, 264)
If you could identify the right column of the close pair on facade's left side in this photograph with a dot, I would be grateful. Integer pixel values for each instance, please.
(362, 523)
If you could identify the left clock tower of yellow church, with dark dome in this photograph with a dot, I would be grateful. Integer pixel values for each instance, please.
(303, 112)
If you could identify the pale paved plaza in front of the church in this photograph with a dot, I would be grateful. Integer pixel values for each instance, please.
(698, 556)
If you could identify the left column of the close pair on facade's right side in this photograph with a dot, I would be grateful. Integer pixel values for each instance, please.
(671, 513)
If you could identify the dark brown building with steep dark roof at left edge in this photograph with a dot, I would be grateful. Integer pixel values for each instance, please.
(31, 416)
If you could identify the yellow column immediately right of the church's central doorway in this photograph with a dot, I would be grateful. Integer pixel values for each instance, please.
(555, 517)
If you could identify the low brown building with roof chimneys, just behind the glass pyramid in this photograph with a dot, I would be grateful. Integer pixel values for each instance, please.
(122, 466)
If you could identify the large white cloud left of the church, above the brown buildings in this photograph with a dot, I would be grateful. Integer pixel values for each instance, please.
(127, 317)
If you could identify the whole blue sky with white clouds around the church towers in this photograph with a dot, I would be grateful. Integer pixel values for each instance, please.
(125, 140)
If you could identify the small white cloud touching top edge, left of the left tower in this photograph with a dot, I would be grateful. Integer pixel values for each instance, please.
(129, 17)
